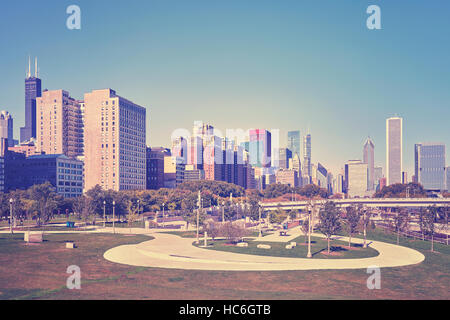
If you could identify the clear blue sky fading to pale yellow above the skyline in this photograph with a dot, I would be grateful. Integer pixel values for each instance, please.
(285, 64)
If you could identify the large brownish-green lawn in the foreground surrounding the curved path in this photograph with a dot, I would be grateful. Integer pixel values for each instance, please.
(39, 272)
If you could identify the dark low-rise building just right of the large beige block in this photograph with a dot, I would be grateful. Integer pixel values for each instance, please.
(155, 167)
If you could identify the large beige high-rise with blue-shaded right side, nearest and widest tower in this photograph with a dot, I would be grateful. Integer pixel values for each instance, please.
(115, 150)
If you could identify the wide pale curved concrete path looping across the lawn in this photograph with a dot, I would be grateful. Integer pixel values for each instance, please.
(174, 252)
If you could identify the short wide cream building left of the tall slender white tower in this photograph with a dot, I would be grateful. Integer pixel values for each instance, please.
(356, 178)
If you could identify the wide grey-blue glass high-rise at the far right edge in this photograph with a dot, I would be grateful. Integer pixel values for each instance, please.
(430, 165)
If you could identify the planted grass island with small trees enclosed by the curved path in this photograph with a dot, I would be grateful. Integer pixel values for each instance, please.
(338, 249)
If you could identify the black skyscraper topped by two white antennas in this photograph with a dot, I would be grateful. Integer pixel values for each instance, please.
(33, 90)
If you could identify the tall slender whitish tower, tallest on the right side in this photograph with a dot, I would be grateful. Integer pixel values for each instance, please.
(394, 150)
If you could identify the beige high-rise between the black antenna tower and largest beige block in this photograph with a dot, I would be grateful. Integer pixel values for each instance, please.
(59, 124)
